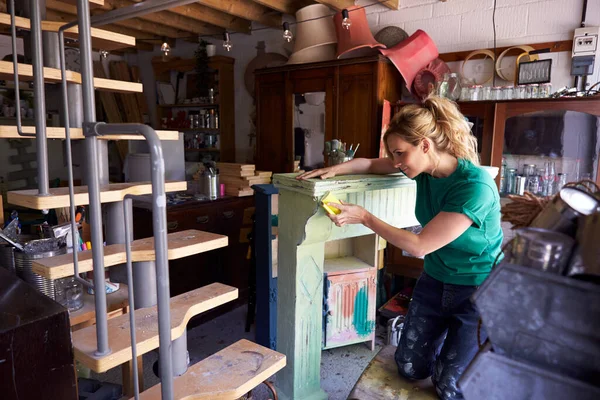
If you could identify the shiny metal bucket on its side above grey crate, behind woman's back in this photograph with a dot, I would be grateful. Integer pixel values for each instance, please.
(541, 249)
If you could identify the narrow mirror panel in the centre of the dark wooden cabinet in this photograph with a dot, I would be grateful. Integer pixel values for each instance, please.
(309, 130)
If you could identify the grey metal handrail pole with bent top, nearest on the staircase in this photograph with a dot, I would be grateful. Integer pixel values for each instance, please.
(159, 225)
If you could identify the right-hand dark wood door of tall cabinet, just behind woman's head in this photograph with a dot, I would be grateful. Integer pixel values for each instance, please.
(356, 115)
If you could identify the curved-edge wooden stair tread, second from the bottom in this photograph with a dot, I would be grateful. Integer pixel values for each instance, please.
(183, 308)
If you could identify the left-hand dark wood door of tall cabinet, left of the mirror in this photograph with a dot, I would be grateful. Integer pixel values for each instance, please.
(273, 148)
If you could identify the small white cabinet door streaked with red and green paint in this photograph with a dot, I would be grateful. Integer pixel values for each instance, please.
(349, 308)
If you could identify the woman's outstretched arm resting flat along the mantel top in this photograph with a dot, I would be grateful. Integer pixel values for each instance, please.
(380, 166)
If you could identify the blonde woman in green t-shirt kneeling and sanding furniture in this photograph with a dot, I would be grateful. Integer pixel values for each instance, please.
(459, 208)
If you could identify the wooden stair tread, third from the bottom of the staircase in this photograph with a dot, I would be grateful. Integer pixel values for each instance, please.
(181, 244)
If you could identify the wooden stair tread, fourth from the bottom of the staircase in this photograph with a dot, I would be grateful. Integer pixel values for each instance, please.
(59, 197)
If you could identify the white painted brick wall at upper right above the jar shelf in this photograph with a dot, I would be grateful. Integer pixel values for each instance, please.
(462, 25)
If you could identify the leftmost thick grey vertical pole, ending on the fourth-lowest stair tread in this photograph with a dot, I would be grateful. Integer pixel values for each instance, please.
(39, 101)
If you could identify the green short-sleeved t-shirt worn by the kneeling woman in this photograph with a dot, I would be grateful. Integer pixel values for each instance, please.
(469, 190)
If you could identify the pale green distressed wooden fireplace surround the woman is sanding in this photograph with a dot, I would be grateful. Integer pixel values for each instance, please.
(303, 230)
